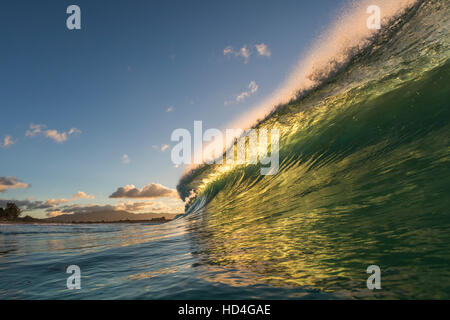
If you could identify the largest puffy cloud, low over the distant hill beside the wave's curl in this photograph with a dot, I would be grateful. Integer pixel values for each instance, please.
(150, 191)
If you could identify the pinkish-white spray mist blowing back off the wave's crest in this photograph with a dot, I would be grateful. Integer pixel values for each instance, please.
(347, 36)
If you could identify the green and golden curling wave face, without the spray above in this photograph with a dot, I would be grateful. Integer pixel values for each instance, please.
(363, 179)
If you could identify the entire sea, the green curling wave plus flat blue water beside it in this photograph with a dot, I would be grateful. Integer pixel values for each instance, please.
(363, 180)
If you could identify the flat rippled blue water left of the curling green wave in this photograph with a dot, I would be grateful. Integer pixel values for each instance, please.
(122, 261)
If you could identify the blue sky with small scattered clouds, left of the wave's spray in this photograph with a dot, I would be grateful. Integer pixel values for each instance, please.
(87, 115)
